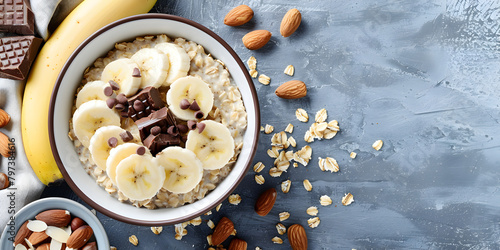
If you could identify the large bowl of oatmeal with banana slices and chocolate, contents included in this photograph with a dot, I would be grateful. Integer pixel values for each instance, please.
(159, 122)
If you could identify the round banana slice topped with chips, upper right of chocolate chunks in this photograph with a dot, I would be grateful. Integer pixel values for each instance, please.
(190, 88)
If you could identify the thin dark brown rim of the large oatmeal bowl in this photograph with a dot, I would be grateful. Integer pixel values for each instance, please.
(58, 160)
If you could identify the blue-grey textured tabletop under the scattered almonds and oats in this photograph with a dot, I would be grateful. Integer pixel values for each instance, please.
(420, 75)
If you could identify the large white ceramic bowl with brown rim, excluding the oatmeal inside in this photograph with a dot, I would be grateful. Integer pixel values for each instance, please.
(97, 45)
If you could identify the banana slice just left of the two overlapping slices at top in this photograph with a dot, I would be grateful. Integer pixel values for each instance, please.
(122, 72)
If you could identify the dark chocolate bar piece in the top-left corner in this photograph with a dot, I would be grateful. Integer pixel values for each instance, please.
(16, 17)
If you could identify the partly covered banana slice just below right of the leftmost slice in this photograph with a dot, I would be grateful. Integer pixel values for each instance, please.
(99, 144)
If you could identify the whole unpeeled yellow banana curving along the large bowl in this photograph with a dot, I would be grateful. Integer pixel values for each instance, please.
(84, 20)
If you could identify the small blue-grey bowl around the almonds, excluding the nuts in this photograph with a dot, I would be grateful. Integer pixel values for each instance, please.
(29, 212)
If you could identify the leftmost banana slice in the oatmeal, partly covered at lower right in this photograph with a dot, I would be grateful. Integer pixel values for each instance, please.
(90, 116)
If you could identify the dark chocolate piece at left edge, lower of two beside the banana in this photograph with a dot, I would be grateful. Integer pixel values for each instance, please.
(16, 55)
